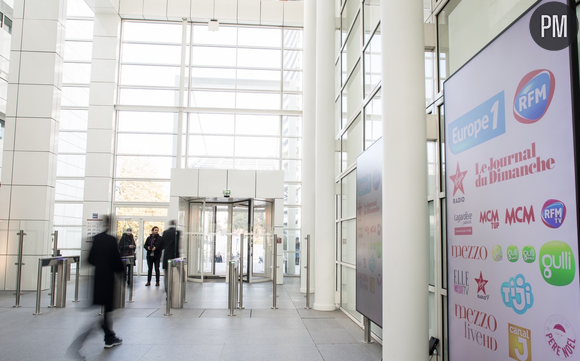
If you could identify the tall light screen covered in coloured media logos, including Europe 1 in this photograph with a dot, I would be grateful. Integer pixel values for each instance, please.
(511, 204)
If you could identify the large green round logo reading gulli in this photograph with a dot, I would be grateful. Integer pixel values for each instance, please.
(557, 263)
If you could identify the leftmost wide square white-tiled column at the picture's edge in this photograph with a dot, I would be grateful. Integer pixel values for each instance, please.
(31, 137)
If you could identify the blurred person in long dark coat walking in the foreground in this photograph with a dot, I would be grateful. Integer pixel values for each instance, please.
(104, 255)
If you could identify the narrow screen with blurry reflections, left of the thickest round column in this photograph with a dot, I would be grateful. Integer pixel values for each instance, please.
(369, 240)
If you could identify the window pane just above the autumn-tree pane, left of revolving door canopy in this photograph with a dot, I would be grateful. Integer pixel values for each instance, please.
(144, 167)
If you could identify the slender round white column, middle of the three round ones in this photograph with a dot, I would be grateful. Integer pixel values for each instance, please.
(323, 240)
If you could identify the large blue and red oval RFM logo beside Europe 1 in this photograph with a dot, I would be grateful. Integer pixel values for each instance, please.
(533, 96)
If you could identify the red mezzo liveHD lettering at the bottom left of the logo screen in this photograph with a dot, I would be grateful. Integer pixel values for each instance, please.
(484, 322)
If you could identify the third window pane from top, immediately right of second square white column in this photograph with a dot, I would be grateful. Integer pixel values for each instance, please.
(150, 75)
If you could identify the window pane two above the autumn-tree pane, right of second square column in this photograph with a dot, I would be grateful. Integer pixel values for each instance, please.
(146, 144)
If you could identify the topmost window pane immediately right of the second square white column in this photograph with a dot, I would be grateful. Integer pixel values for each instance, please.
(152, 32)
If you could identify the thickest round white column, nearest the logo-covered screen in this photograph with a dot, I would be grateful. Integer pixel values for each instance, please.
(405, 242)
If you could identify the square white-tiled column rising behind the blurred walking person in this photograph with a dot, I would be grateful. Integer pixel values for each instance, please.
(101, 126)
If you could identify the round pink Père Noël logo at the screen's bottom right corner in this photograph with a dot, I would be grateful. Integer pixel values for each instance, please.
(560, 336)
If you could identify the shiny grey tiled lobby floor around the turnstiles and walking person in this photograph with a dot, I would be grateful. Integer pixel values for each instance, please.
(202, 330)
